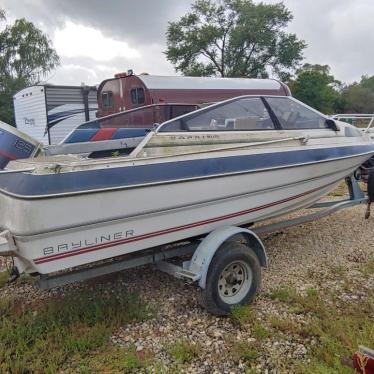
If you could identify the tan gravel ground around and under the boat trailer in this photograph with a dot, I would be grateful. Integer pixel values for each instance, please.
(310, 255)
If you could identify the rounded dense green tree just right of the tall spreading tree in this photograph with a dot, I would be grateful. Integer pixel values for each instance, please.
(315, 86)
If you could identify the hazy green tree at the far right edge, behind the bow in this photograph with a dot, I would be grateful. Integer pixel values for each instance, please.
(359, 96)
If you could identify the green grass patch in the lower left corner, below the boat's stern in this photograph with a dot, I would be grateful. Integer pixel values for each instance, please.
(61, 332)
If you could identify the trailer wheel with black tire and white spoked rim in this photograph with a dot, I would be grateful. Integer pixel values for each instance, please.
(234, 277)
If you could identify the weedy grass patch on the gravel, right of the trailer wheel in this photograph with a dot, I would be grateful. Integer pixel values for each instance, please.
(338, 330)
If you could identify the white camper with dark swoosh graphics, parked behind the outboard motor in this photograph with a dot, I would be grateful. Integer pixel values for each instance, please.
(49, 112)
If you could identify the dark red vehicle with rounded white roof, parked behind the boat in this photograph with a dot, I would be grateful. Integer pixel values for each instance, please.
(128, 91)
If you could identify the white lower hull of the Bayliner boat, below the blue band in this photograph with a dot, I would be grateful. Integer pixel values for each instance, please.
(114, 225)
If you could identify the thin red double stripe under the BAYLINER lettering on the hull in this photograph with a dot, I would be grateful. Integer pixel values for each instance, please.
(58, 256)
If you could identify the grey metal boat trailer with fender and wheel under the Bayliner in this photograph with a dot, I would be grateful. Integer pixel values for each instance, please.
(225, 264)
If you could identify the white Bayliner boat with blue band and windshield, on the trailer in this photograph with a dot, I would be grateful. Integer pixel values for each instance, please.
(232, 163)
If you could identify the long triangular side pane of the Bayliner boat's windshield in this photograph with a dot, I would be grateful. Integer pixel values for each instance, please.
(247, 113)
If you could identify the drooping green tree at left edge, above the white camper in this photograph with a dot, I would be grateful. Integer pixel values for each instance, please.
(26, 56)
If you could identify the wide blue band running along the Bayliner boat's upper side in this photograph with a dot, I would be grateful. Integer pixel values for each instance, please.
(24, 184)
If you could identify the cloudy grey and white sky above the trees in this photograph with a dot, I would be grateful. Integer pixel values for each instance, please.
(96, 39)
